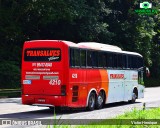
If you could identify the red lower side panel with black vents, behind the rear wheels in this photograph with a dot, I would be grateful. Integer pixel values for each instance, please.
(77, 88)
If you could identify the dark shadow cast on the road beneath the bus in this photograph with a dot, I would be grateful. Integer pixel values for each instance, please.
(48, 113)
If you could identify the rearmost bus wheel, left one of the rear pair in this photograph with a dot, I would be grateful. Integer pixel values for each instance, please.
(91, 102)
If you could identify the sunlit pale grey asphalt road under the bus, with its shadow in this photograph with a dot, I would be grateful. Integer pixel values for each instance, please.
(12, 108)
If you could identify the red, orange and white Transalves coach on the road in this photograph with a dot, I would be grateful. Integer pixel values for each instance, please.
(57, 73)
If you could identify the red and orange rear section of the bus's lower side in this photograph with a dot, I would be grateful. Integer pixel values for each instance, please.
(86, 80)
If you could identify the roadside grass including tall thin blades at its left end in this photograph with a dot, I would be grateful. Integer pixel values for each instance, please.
(122, 121)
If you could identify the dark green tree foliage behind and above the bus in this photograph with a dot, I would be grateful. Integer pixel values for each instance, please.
(111, 22)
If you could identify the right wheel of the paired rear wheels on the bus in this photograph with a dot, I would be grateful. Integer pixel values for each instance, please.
(100, 100)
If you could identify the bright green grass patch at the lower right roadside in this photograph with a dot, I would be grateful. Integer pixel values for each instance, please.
(135, 115)
